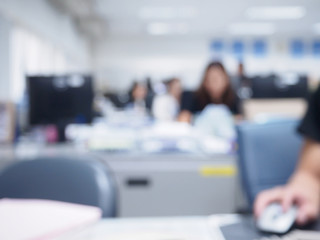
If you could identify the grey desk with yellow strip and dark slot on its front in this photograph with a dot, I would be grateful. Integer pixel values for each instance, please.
(167, 184)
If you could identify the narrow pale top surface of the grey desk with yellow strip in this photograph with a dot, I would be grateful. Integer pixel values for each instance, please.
(31, 150)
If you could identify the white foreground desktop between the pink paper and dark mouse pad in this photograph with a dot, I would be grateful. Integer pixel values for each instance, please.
(173, 228)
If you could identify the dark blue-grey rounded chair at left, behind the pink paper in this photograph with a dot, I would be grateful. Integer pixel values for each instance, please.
(82, 181)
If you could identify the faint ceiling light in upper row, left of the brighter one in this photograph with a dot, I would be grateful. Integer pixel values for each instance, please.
(167, 12)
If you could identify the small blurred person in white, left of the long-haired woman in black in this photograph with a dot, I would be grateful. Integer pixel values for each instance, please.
(166, 107)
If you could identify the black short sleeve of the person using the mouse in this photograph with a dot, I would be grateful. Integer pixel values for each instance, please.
(310, 124)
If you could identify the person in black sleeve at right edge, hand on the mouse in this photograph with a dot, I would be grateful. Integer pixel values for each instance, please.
(303, 188)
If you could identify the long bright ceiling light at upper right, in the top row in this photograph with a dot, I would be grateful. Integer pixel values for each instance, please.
(276, 13)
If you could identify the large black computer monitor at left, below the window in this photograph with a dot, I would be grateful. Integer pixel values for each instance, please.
(60, 100)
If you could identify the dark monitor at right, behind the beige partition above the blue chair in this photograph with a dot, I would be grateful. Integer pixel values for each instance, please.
(290, 86)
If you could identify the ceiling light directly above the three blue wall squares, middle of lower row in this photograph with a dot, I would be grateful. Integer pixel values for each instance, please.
(252, 29)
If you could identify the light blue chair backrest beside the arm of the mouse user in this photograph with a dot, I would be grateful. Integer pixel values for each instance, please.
(268, 153)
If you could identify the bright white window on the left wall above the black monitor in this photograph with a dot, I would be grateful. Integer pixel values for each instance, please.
(31, 55)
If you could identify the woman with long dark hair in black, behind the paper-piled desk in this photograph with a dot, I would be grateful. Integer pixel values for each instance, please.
(215, 88)
